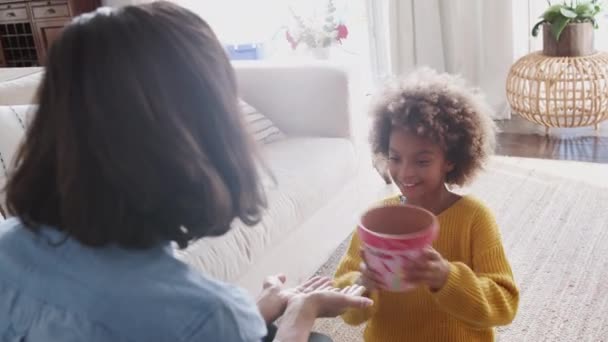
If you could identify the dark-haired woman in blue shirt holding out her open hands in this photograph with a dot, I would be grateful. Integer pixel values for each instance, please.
(137, 143)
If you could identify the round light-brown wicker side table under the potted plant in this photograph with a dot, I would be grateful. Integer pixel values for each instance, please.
(560, 91)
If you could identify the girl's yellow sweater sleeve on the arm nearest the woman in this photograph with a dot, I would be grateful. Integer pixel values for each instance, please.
(347, 274)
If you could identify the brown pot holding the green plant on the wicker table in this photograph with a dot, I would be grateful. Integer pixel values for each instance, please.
(576, 40)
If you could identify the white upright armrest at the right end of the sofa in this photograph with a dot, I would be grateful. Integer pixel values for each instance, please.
(302, 100)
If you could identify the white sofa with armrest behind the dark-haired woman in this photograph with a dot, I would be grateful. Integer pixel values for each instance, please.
(314, 204)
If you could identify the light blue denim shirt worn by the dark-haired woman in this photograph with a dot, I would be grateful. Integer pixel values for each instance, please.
(63, 291)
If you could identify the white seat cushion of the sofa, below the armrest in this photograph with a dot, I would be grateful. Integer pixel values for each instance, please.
(308, 172)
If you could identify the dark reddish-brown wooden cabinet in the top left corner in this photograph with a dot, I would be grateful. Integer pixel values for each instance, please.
(28, 28)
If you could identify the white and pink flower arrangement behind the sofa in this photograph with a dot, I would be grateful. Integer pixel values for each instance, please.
(314, 34)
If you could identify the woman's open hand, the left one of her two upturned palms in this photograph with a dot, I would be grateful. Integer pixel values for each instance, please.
(273, 299)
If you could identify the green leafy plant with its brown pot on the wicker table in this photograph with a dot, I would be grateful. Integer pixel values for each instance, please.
(568, 28)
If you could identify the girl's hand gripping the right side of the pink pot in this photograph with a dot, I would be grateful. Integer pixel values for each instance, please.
(430, 269)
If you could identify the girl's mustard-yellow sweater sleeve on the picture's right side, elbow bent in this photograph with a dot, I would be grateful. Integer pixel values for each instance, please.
(484, 295)
